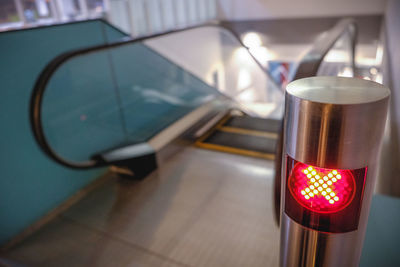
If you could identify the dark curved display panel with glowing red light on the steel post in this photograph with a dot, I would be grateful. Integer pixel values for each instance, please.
(324, 199)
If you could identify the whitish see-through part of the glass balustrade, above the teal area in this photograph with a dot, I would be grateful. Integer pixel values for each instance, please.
(215, 56)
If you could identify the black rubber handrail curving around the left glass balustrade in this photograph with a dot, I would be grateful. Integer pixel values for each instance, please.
(45, 76)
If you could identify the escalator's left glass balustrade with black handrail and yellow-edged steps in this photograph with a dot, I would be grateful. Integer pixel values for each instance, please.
(137, 101)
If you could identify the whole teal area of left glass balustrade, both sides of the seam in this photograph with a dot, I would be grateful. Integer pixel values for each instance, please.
(115, 97)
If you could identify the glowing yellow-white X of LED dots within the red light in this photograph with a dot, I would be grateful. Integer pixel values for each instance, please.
(320, 184)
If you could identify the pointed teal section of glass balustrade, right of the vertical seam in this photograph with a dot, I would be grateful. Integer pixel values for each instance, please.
(154, 92)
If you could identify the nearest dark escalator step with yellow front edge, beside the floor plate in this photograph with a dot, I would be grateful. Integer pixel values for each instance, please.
(243, 144)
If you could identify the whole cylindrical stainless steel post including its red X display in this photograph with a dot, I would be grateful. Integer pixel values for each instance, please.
(332, 136)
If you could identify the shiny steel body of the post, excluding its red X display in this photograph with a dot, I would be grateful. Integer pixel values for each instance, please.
(335, 123)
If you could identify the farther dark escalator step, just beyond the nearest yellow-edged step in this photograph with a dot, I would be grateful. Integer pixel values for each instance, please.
(255, 124)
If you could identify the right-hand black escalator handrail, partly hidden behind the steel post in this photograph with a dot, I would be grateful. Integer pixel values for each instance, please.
(308, 67)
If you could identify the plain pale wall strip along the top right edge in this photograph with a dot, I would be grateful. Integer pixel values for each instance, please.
(268, 9)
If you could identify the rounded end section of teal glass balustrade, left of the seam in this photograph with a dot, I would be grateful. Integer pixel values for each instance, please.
(80, 108)
